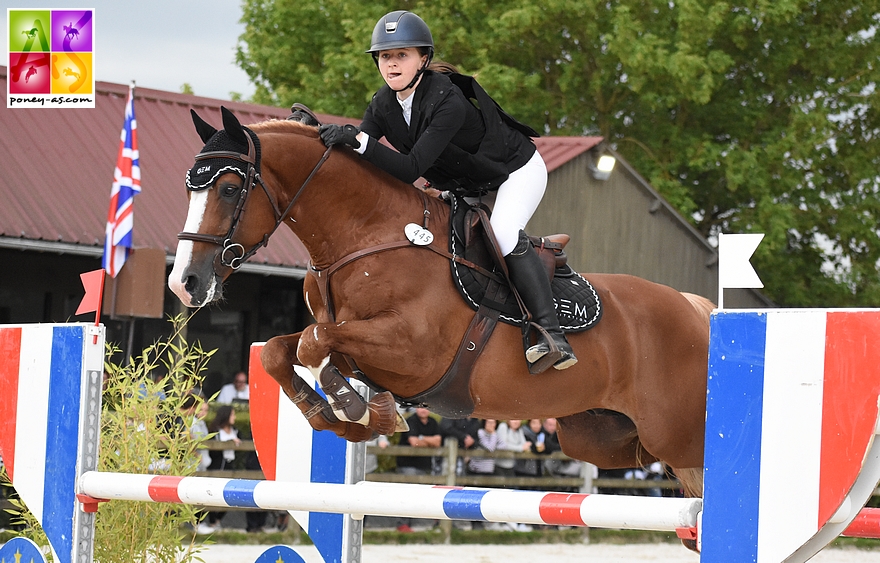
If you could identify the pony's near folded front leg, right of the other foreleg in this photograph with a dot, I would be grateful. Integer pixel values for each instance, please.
(313, 350)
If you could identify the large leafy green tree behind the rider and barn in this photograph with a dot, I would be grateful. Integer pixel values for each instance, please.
(748, 116)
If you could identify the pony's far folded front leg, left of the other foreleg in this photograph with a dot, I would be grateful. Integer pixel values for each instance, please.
(278, 358)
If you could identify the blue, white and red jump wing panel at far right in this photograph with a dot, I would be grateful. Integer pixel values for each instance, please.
(792, 407)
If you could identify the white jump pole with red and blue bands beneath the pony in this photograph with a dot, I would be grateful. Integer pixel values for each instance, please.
(412, 501)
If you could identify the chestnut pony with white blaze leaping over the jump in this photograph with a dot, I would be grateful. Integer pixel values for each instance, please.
(636, 396)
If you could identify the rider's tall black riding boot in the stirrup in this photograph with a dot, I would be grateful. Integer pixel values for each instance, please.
(527, 273)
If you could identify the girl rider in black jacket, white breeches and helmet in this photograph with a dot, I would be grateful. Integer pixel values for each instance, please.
(443, 137)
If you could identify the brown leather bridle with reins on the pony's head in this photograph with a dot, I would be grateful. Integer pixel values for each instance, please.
(233, 254)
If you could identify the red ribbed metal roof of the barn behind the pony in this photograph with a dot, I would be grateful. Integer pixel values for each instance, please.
(58, 167)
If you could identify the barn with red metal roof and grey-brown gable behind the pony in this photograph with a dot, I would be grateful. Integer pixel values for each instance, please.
(58, 167)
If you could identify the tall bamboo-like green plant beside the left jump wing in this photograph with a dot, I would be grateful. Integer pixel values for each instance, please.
(146, 429)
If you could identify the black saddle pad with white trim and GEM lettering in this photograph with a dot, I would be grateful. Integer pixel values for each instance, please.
(577, 304)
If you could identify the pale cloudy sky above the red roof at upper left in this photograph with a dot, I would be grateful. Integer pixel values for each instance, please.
(160, 44)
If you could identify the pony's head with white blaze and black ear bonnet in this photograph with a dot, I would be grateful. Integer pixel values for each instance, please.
(217, 237)
